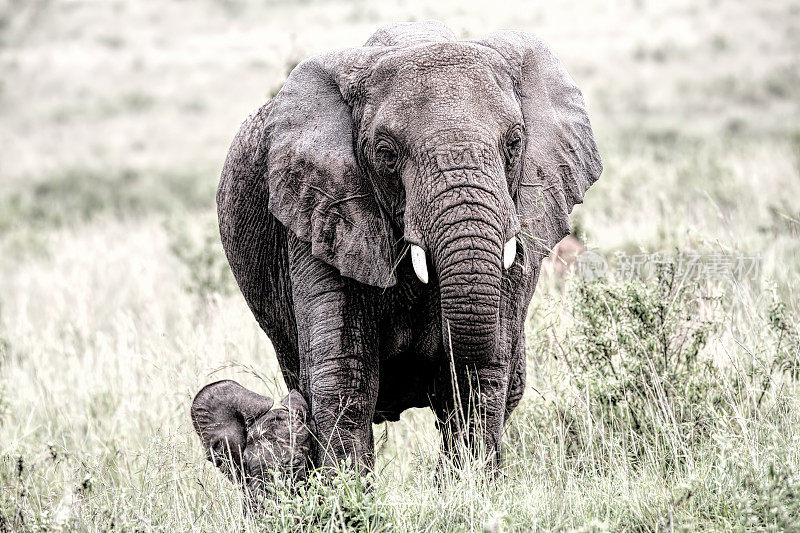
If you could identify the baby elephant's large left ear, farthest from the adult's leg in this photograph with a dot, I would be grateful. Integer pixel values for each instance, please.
(221, 412)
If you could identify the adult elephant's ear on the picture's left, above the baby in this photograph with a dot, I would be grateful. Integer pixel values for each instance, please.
(316, 187)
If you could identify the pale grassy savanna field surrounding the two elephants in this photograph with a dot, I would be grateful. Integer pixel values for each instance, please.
(663, 404)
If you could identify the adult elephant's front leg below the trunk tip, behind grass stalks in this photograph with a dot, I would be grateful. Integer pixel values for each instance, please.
(470, 411)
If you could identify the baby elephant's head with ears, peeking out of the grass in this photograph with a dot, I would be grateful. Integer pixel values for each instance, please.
(247, 439)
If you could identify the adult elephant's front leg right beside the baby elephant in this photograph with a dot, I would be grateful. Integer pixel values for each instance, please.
(337, 339)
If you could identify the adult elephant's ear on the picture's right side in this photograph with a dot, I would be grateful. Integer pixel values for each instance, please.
(561, 158)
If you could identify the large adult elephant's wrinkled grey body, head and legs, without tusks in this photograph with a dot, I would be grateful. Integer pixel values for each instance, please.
(414, 138)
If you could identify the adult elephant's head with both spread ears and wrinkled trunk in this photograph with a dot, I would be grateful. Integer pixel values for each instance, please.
(461, 149)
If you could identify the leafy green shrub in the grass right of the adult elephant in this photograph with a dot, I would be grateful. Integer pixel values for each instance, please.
(636, 362)
